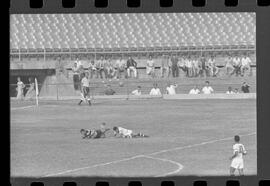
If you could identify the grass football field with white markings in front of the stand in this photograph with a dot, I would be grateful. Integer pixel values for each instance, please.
(187, 137)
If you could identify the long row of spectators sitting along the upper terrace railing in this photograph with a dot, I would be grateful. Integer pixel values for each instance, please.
(195, 65)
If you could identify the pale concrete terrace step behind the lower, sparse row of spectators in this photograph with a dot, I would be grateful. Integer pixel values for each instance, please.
(219, 84)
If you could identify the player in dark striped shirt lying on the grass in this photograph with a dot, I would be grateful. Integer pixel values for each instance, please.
(94, 133)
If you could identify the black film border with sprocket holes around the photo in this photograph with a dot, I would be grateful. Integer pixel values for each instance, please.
(263, 86)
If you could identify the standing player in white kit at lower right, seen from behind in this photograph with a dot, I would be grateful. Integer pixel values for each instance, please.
(237, 158)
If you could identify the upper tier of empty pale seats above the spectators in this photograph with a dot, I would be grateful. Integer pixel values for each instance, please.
(39, 32)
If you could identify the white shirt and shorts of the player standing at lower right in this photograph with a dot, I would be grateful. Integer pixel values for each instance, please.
(238, 162)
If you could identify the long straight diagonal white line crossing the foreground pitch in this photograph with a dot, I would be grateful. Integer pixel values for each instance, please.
(142, 155)
